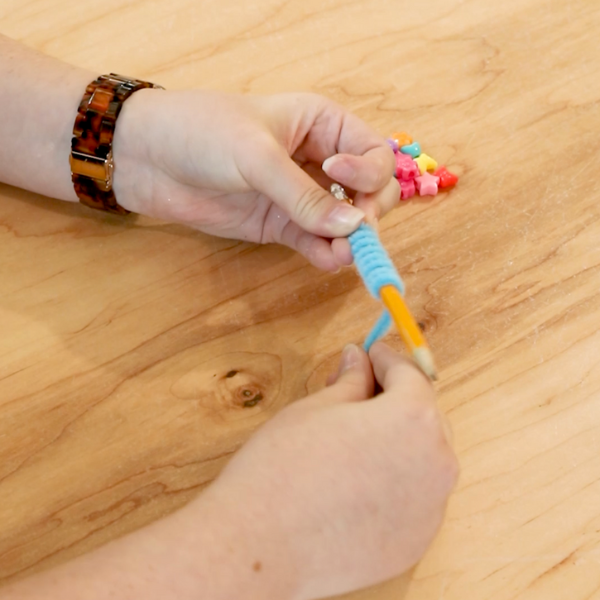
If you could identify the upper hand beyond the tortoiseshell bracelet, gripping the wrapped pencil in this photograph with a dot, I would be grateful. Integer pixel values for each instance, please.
(250, 167)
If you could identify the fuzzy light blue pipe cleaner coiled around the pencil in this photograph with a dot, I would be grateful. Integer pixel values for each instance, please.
(377, 270)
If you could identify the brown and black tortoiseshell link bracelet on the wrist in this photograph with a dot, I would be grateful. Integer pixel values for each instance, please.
(91, 156)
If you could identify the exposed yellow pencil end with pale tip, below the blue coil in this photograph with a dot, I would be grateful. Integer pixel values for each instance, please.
(409, 330)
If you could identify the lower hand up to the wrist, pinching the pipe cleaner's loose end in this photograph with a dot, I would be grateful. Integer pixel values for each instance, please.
(342, 490)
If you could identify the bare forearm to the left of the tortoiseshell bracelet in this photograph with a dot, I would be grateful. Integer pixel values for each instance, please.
(39, 97)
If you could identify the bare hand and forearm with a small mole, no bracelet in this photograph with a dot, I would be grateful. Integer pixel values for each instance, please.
(337, 492)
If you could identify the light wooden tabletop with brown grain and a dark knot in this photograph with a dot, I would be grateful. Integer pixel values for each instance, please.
(115, 401)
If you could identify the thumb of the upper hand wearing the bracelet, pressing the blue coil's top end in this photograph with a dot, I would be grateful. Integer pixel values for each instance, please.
(306, 202)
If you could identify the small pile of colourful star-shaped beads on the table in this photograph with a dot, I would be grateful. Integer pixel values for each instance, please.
(415, 170)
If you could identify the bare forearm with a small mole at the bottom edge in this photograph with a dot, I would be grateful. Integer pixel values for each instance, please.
(199, 553)
